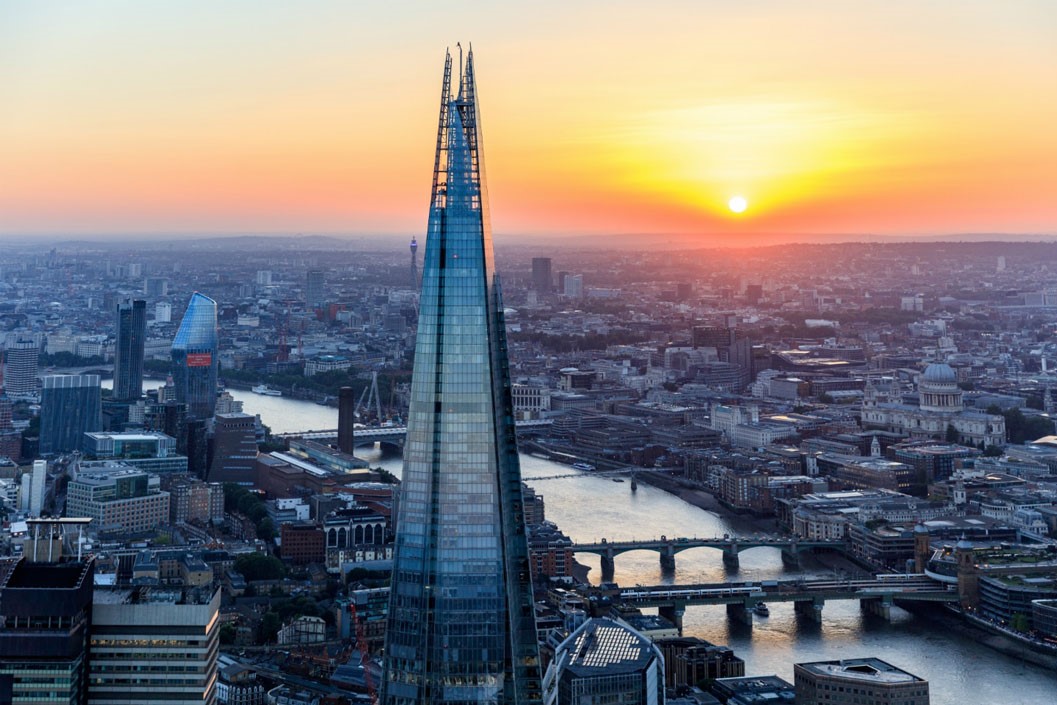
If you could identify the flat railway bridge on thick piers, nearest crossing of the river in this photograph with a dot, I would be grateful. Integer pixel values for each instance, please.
(877, 596)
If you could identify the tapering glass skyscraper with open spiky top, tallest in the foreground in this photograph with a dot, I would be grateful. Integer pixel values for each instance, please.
(461, 624)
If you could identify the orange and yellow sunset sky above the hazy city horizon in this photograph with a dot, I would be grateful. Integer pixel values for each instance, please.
(901, 118)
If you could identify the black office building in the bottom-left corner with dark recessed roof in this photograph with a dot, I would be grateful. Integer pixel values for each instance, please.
(45, 617)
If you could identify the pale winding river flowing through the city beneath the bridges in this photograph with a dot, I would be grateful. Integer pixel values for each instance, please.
(960, 671)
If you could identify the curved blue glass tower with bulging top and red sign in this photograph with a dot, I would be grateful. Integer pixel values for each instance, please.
(195, 358)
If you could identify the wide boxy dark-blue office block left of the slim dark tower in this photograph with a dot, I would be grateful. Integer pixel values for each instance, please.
(71, 405)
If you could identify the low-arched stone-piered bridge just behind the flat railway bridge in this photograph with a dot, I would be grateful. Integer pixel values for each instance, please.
(730, 545)
